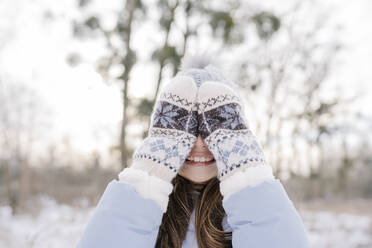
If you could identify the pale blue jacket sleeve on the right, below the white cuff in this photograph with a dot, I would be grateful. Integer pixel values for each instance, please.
(263, 216)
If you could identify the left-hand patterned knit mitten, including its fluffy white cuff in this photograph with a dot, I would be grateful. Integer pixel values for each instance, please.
(172, 134)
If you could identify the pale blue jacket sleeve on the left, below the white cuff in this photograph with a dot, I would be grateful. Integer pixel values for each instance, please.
(122, 218)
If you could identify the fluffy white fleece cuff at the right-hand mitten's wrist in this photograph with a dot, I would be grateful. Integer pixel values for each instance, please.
(250, 176)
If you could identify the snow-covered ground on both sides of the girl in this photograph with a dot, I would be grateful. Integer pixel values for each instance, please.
(60, 226)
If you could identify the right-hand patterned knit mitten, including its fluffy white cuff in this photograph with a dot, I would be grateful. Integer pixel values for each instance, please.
(224, 128)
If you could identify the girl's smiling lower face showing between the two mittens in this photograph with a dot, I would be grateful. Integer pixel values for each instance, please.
(200, 164)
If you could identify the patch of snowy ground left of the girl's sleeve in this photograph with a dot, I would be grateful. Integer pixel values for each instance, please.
(56, 226)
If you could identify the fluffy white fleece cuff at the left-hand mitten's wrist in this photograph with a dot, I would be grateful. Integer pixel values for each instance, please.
(149, 187)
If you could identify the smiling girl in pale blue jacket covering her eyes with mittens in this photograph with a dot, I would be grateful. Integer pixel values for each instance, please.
(198, 180)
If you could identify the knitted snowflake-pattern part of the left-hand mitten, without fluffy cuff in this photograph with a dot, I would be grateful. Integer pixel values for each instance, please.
(172, 131)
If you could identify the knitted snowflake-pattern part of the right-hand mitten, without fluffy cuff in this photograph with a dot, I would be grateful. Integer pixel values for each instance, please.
(223, 127)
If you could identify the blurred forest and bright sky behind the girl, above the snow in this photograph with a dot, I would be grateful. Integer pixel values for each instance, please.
(311, 117)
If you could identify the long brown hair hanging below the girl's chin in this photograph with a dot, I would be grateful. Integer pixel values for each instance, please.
(209, 214)
